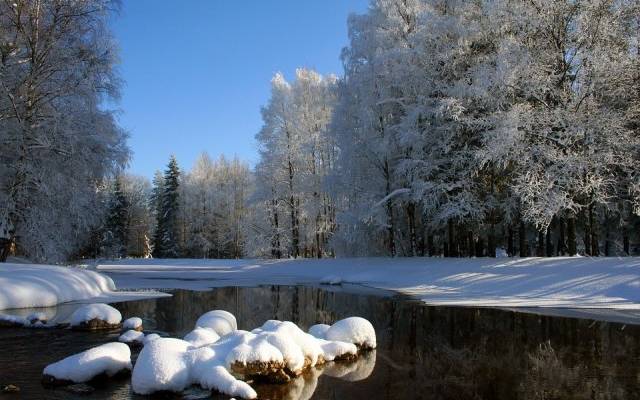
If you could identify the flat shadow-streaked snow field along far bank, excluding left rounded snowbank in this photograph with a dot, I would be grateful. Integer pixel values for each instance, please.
(559, 282)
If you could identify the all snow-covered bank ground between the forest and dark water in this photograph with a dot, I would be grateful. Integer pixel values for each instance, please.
(561, 282)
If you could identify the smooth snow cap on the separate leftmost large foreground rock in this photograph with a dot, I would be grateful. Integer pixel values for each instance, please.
(108, 358)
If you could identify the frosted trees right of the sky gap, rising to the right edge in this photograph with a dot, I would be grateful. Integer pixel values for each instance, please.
(462, 128)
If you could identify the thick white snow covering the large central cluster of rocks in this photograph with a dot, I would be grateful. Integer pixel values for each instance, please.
(167, 364)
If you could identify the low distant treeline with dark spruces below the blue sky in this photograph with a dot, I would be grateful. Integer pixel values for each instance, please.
(201, 213)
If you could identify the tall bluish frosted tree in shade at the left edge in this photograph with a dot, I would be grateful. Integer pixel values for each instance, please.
(58, 141)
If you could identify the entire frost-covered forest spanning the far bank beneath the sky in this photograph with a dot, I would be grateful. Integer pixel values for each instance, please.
(457, 129)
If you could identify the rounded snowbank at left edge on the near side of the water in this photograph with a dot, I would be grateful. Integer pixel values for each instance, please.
(31, 285)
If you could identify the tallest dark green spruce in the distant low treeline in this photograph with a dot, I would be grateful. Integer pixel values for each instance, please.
(166, 235)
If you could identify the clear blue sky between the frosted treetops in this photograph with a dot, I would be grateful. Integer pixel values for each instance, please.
(197, 72)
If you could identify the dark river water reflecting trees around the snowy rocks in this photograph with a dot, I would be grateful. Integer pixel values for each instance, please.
(423, 352)
